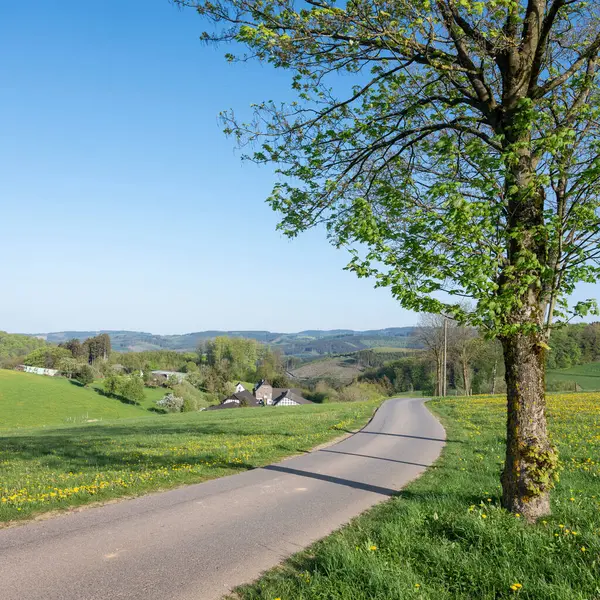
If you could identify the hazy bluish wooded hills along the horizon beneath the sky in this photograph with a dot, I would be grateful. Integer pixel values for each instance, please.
(304, 343)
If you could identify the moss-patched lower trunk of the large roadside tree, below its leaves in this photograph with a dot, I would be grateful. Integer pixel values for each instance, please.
(530, 459)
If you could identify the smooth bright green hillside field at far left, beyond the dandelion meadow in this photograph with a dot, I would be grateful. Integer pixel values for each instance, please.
(28, 400)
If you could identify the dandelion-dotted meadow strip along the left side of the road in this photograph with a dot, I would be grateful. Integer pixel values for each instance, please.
(51, 468)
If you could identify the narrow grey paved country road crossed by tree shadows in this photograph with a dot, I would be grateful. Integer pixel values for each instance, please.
(199, 541)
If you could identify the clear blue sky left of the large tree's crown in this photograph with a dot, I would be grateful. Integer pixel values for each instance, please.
(125, 207)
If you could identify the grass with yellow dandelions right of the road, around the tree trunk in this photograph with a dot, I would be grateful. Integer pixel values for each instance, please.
(445, 537)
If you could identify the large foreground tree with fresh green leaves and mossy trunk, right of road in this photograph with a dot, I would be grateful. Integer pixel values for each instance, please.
(464, 160)
